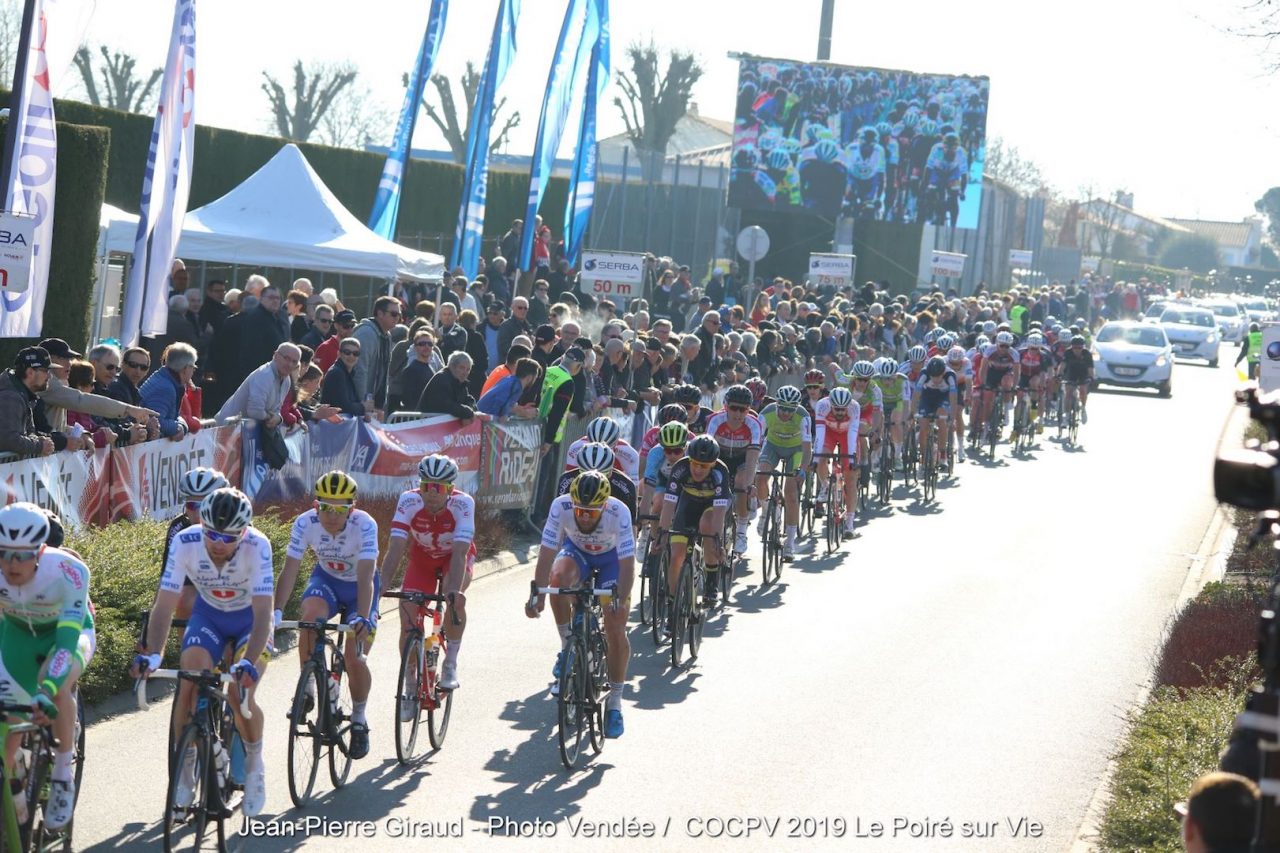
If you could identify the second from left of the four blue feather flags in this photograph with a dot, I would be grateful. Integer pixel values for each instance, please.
(502, 49)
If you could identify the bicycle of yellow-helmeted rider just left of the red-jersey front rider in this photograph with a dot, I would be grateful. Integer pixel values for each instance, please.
(321, 714)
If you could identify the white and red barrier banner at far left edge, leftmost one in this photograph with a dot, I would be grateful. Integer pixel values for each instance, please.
(75, 486)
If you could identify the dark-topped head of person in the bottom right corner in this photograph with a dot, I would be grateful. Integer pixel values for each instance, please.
(1220, 814)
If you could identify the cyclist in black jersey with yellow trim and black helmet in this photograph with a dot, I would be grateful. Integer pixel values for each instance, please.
(698, 494)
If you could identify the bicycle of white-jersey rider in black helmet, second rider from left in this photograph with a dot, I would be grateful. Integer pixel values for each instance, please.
(205, 741)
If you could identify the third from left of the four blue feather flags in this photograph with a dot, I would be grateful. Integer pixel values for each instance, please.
(573, 53)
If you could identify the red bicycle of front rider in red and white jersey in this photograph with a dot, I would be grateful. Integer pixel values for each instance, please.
(418, 687)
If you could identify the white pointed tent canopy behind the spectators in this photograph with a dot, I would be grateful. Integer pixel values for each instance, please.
(284, 216)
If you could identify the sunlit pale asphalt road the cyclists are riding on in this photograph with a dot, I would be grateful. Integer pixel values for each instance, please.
(967, 663)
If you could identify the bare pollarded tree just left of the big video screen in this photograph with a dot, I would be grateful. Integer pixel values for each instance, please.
(655, 102)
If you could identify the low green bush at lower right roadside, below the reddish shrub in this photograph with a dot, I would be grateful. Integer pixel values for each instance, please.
(1173, 740)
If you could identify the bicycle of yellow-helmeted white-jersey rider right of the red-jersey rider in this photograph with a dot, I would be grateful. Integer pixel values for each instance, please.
(583, 673)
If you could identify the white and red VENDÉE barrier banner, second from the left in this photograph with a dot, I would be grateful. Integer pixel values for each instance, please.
(145, 477)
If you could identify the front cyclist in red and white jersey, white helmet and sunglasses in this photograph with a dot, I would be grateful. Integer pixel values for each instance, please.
(437, 524)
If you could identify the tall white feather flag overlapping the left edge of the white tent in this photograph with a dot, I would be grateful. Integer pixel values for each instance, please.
(166, 185)
